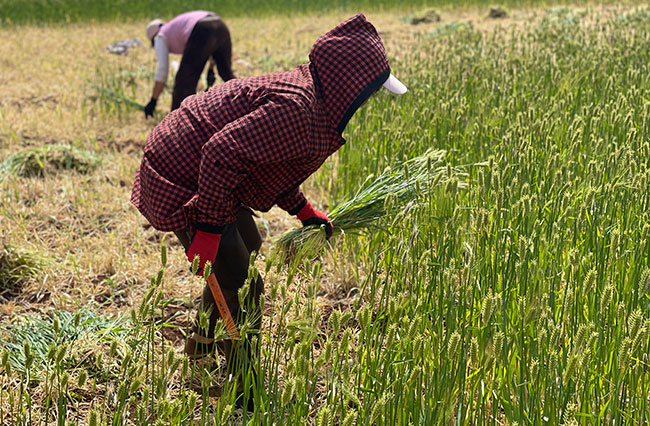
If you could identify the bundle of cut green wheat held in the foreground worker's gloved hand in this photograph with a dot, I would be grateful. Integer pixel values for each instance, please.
(376, 199)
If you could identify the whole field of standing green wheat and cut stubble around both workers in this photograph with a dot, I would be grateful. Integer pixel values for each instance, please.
(492, 265)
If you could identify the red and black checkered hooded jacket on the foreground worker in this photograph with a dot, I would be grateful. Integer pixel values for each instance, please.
(253, 141)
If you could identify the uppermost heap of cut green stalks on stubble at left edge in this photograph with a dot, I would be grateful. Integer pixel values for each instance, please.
(48, 159)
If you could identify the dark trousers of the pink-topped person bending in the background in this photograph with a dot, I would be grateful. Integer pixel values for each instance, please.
(210, 37)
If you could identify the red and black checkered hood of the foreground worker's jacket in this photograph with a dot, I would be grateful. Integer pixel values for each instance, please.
(348, 64)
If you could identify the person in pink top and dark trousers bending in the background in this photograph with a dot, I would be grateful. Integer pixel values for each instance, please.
(199, 36)
